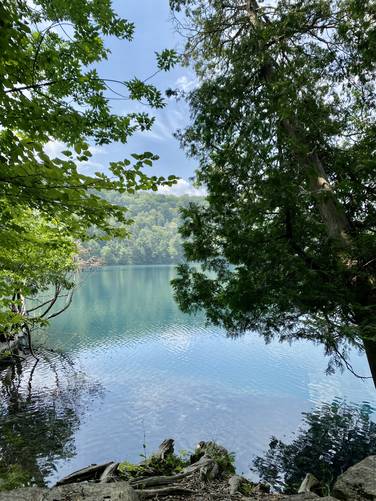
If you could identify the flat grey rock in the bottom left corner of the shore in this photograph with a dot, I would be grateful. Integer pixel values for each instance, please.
(119, 491)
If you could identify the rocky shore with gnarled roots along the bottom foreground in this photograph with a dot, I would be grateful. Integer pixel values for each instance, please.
(206, 475)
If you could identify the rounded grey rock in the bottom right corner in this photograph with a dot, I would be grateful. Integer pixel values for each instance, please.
(358, 483)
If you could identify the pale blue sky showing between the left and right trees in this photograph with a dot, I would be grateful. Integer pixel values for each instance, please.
(154, 32)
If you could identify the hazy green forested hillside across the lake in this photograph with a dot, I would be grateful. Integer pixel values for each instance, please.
(154, 235)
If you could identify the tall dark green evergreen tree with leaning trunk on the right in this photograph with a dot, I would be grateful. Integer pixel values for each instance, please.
(283, 125)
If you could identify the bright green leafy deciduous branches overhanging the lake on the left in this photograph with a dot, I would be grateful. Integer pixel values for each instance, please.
(51, 91)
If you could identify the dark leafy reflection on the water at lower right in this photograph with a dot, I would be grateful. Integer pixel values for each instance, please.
(333, 438)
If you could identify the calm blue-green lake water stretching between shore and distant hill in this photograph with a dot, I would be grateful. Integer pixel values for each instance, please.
(136, 370)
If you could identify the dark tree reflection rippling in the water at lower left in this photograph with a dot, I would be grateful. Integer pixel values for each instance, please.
(40, 408)
